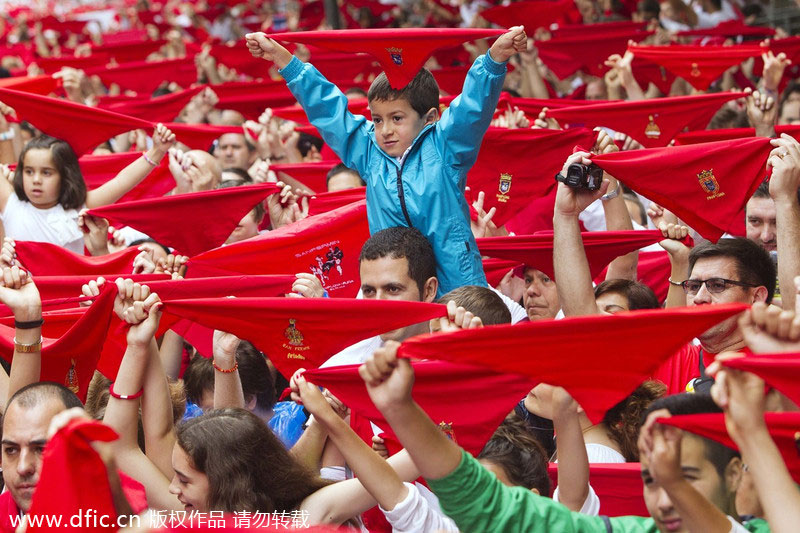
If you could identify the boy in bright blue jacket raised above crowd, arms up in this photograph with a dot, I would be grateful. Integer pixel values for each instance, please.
(415, 164)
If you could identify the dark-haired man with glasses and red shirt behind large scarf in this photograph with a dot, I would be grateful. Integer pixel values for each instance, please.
(731, 271)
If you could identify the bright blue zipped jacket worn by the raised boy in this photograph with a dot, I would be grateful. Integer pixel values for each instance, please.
(426, 191)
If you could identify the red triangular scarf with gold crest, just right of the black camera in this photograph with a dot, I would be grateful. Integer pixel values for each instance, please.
(705, 185)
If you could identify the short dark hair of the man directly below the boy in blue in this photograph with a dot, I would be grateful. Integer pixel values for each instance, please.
(401, 242)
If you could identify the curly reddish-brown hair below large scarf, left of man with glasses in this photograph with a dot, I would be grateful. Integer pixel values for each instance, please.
(625, 419)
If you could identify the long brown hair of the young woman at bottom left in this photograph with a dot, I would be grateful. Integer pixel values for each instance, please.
(260, 476)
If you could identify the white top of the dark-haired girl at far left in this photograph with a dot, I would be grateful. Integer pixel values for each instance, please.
(25, 222)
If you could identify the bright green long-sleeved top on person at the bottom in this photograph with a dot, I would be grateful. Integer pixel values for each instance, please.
(479, 503)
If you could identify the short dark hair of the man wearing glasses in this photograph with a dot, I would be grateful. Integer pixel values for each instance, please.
(753, 263)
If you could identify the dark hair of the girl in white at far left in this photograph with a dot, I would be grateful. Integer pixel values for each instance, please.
(73, 188)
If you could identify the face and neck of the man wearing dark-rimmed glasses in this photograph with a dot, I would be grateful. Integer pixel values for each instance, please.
(718, 267)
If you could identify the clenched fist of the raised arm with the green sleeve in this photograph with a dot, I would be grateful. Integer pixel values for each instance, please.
(388, 379)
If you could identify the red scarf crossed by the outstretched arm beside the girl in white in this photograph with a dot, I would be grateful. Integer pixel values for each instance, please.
(98, 169)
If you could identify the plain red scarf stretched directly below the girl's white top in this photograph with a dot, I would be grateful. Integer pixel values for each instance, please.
(45, 259)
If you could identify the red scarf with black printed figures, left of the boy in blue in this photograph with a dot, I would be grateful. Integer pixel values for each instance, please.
(326, 245)
